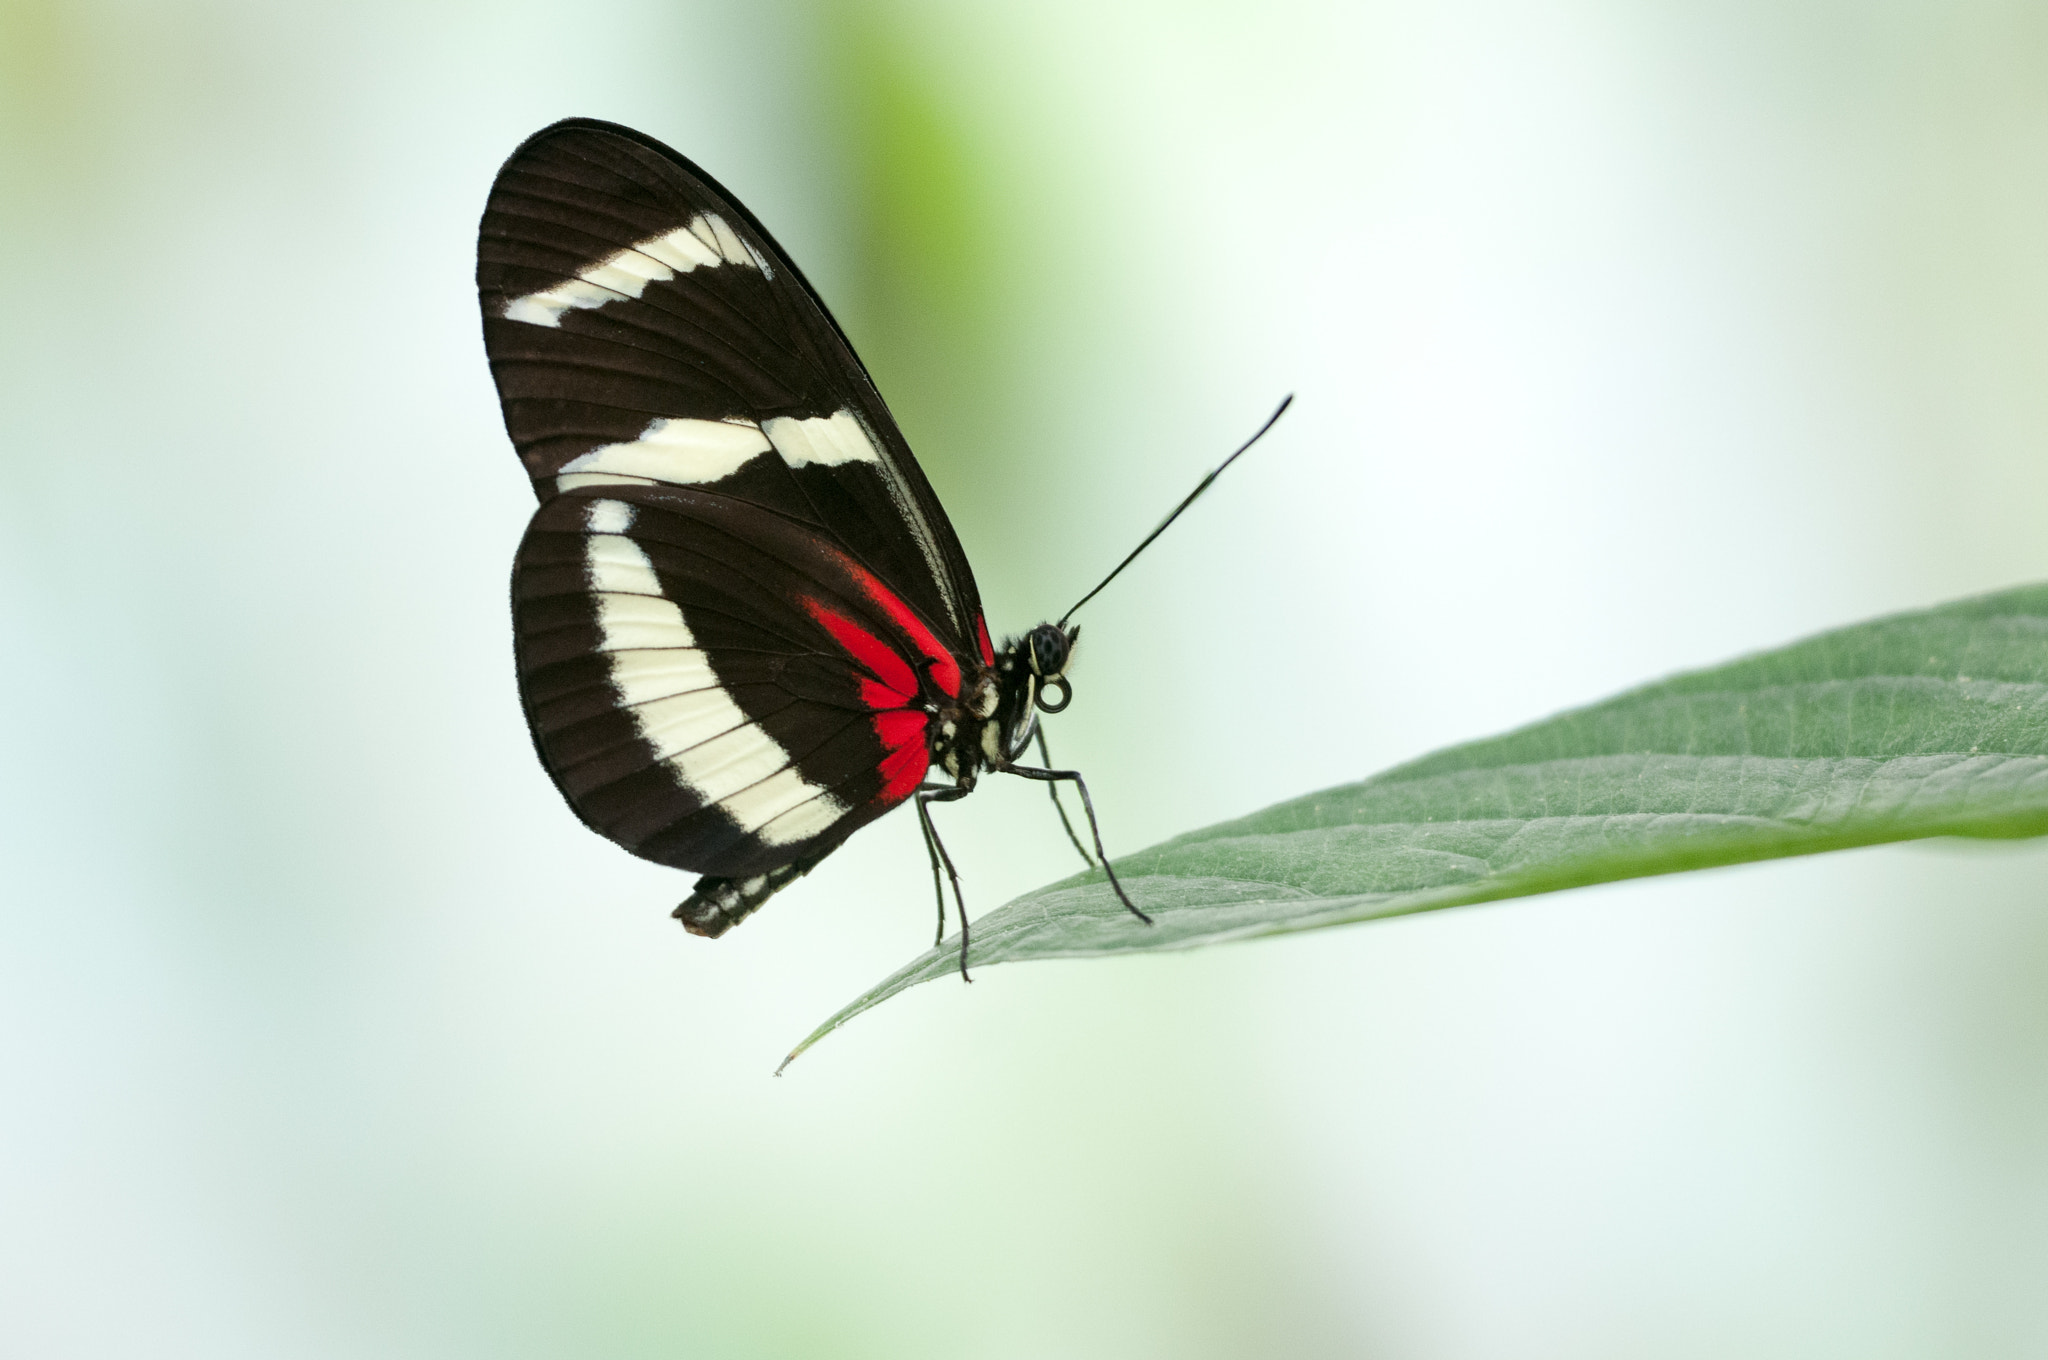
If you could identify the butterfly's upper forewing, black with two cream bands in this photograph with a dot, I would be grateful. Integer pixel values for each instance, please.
(646, 331)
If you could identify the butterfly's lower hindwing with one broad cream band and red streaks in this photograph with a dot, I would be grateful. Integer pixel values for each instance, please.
(714, 687)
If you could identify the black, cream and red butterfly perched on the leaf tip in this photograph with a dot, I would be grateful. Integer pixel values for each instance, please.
(744, 626)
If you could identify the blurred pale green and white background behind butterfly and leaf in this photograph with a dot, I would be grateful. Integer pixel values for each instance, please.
(1629, 337)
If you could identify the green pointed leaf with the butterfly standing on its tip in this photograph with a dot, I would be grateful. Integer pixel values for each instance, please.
(1930, 724)
